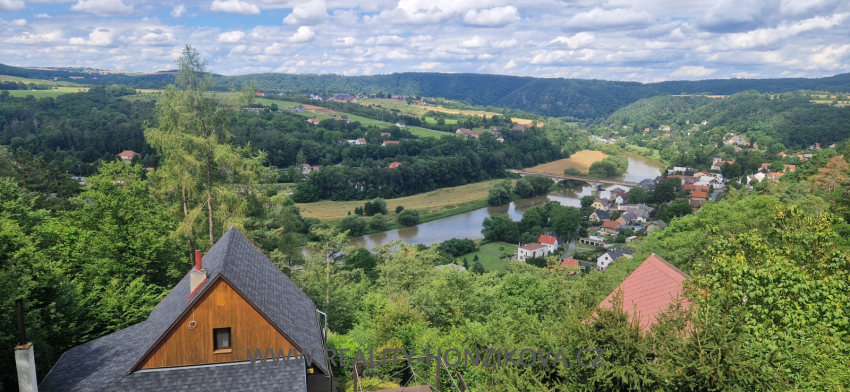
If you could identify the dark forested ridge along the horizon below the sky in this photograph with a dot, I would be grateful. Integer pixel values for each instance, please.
(580, 98)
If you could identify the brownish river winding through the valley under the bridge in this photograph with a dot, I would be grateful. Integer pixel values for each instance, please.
(468, 225)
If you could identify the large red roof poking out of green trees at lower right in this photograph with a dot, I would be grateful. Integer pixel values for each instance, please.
(653, 286)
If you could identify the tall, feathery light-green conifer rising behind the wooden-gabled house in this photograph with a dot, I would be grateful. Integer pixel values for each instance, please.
(206, 176)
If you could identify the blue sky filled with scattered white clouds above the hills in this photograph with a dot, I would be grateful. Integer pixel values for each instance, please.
(646, 41)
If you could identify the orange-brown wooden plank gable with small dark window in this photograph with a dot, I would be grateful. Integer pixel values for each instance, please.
(220, 306)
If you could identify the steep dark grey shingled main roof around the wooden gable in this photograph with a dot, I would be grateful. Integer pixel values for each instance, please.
(100, 363)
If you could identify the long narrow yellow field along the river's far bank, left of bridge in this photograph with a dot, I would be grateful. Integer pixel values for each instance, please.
(433, 202)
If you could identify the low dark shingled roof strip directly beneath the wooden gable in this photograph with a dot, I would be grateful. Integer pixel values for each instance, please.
(230, 377)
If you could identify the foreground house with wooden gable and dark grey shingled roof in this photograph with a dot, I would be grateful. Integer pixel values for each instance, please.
(202, 335)
